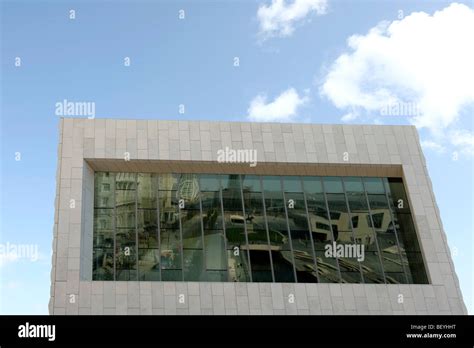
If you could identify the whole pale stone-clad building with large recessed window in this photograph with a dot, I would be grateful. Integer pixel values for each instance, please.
(195, 217)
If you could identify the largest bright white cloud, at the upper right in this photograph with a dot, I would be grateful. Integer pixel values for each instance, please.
(422, 63)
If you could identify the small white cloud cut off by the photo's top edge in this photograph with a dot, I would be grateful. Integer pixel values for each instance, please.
(279, 18)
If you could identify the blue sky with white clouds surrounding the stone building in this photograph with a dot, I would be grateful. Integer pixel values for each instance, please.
(296, 63)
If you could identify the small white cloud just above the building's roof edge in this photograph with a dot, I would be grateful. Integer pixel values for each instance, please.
(282, 108)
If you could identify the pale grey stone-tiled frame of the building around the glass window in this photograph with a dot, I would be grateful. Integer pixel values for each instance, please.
(102, 144)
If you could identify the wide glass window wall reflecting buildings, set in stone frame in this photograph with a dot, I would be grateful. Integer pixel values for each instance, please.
(250, 228)
